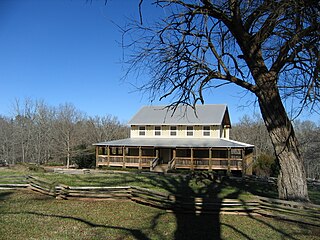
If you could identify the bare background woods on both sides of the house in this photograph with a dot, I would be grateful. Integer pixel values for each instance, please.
(41, 134)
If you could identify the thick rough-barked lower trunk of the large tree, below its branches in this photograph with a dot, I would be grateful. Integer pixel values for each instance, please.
(292, 184)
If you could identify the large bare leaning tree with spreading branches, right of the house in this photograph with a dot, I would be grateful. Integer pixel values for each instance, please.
(267, 47)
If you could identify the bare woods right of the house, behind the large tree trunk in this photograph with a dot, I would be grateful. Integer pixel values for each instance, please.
(252, 130)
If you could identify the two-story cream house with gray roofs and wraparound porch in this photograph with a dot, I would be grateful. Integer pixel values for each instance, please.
(186, 138)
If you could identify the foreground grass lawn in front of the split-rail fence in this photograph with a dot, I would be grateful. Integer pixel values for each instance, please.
(29, 215)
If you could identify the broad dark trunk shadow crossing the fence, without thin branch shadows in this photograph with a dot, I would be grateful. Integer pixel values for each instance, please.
(195, 218)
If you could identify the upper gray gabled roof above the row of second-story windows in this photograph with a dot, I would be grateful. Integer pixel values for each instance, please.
(210, 114)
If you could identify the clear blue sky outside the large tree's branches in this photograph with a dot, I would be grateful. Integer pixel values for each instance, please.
(69, 51)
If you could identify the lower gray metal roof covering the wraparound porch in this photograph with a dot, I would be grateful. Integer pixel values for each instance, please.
(176, 142)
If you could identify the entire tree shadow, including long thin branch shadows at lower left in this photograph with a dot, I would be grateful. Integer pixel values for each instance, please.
(193, 220)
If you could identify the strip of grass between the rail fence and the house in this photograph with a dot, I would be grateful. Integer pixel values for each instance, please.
(174, 184)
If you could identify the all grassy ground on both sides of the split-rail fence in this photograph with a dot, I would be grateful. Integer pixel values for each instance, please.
(28, 215)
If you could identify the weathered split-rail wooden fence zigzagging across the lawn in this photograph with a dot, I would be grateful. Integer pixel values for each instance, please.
(306, 213)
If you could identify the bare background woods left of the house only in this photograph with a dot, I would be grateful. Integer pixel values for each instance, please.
(42, 134)
